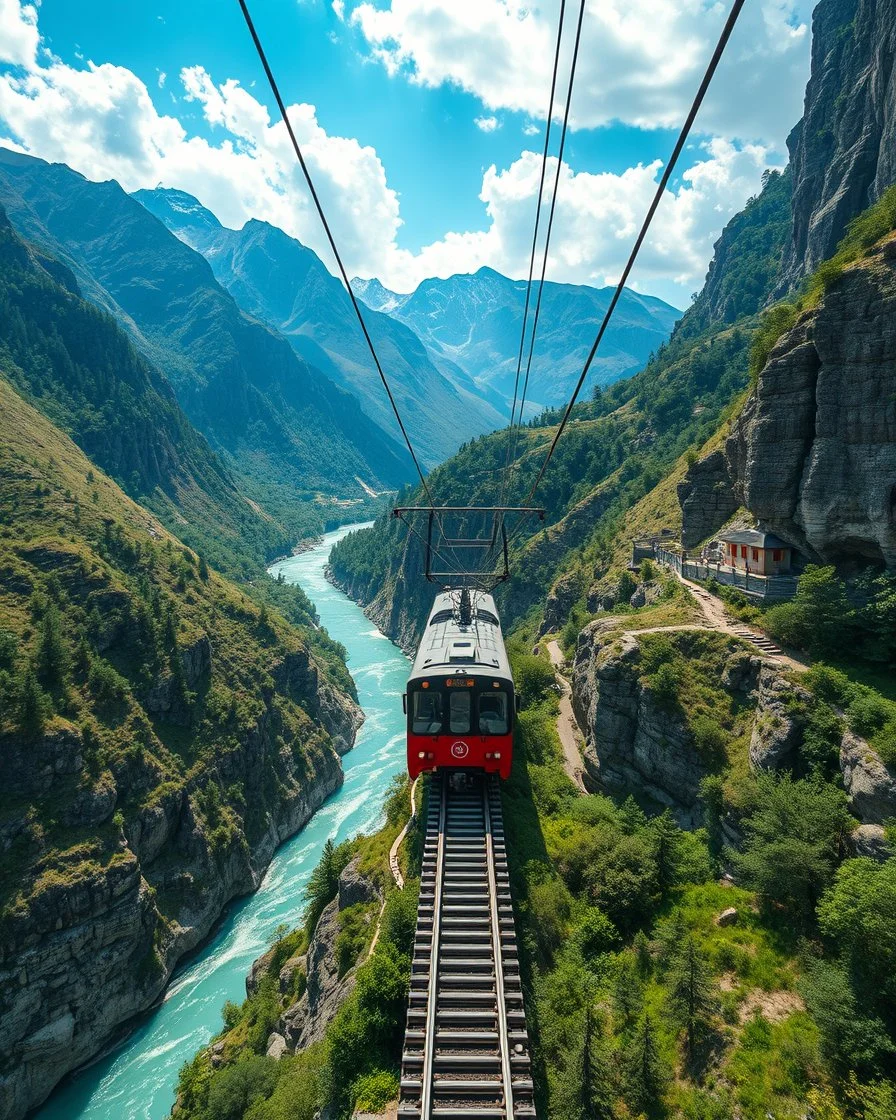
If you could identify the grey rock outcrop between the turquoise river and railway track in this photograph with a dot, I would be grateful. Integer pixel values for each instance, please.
(306, 1022)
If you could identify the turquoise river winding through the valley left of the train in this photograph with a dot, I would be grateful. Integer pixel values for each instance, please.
(138, 1080)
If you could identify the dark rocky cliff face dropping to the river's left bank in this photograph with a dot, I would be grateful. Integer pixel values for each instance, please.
(91, 950)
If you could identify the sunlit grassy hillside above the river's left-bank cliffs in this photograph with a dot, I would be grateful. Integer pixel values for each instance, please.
(136, 671)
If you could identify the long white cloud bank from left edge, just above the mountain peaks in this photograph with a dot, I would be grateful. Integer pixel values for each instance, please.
(102, 122)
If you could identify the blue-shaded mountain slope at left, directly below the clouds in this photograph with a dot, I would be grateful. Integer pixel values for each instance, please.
(282, 426)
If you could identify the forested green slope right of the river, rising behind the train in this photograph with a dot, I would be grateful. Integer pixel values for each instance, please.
(618, 449)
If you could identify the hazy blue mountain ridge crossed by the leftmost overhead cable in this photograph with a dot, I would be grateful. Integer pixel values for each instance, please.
(285, 285)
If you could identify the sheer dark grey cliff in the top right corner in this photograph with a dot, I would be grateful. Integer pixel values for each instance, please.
(844, 151)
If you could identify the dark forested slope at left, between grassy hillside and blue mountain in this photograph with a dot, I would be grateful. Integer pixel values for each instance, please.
(73, 362)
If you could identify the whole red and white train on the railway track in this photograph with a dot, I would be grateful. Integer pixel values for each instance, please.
(461, 703)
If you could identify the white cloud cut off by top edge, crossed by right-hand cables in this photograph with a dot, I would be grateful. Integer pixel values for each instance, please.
(646, 59)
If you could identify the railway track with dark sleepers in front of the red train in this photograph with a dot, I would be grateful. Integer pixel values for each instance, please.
(466, 1049)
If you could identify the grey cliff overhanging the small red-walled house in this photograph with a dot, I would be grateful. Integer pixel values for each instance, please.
(814, 454)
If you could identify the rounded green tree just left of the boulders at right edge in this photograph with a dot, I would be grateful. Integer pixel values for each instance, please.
(795, 838)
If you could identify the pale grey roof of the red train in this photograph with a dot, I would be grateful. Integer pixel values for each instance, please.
(474, 650)
